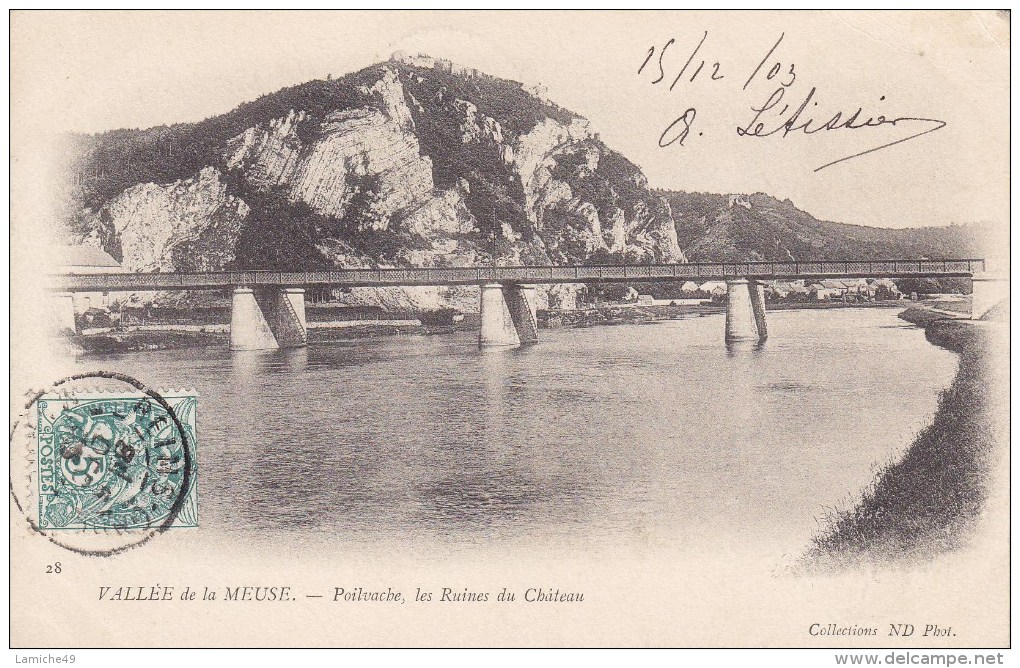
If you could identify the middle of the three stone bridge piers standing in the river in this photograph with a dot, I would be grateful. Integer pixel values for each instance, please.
(508, 316)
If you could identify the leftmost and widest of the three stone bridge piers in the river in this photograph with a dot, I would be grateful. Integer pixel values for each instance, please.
(268, 320)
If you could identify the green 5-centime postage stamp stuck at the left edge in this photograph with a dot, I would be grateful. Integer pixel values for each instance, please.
(122, 461)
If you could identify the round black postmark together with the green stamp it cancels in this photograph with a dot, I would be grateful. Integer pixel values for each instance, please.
(101, 464)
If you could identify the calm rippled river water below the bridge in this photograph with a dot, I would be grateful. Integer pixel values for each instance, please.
(638, 435)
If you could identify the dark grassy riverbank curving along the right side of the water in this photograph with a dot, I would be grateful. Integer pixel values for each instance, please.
(932, 499)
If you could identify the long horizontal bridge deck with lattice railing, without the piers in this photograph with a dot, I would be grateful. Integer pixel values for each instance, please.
(543, 275)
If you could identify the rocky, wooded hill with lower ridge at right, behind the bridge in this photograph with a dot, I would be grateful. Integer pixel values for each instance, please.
(420, 163)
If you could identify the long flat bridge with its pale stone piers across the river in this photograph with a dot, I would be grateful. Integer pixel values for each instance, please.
(269, 307)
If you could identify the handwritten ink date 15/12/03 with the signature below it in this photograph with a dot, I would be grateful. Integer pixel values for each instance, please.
(776, 117)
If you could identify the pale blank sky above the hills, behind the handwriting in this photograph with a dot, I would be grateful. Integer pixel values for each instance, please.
(93, 72)
